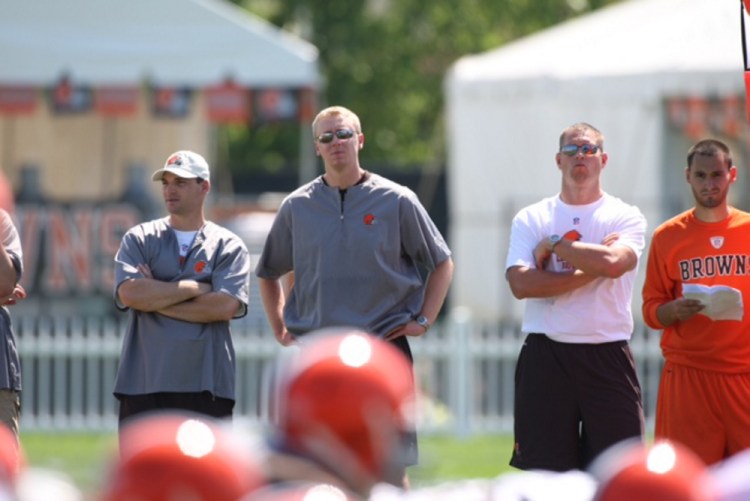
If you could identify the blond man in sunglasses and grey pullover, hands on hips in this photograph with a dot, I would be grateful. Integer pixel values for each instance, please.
(350, 245)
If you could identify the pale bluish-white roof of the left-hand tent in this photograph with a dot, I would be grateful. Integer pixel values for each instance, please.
(190, 43)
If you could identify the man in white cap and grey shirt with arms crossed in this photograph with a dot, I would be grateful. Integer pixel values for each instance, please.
(181, 278)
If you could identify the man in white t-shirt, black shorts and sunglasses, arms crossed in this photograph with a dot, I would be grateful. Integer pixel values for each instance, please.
(573, 257)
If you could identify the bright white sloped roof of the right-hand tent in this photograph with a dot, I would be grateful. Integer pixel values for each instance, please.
(635, 37)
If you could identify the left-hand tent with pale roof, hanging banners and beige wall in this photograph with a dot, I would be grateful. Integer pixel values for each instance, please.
(182, 47)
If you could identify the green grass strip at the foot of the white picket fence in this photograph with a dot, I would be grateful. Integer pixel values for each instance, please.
(84, 457)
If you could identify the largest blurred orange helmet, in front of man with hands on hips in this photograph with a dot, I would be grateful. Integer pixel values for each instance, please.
(345, 399)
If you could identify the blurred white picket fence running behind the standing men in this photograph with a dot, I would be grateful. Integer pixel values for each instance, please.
(464, 370)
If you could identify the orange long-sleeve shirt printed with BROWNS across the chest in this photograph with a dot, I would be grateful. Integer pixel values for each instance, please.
(687, 250)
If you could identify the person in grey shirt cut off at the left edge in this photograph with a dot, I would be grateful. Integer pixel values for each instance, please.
(11, 269)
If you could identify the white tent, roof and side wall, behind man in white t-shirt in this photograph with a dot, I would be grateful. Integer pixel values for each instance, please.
(613, 68)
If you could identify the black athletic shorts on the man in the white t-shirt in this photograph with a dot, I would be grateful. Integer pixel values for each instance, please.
(573, 401)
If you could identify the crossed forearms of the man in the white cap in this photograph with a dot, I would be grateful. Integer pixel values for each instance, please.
(186, 300)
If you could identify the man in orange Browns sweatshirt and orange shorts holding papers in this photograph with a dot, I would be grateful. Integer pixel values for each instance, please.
(704, 394)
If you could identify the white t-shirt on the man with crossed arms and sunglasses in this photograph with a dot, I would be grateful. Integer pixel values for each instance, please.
(599, 311)
